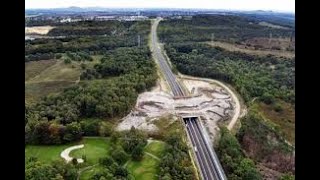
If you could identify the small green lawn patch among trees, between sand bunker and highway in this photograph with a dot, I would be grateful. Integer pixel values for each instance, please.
(147, 168)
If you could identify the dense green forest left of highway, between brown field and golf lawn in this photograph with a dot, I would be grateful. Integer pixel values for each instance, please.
(111, 93)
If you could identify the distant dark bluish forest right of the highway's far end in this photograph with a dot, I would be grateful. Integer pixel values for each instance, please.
(234, 29)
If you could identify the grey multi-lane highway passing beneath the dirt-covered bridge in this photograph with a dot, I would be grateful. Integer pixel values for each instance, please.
(209, 165)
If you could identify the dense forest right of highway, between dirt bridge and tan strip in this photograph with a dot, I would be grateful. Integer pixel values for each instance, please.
(267, 78)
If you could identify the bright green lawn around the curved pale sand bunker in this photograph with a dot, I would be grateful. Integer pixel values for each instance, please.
(94, 148)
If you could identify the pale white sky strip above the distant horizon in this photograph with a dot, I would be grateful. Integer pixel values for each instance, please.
(275, 5)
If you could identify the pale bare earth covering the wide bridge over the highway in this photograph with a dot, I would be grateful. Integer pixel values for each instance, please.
(211, 101)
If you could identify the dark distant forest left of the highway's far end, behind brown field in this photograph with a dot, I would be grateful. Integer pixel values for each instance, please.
(90, 37)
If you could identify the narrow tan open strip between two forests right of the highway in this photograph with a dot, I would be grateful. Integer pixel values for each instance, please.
(251, 50)
